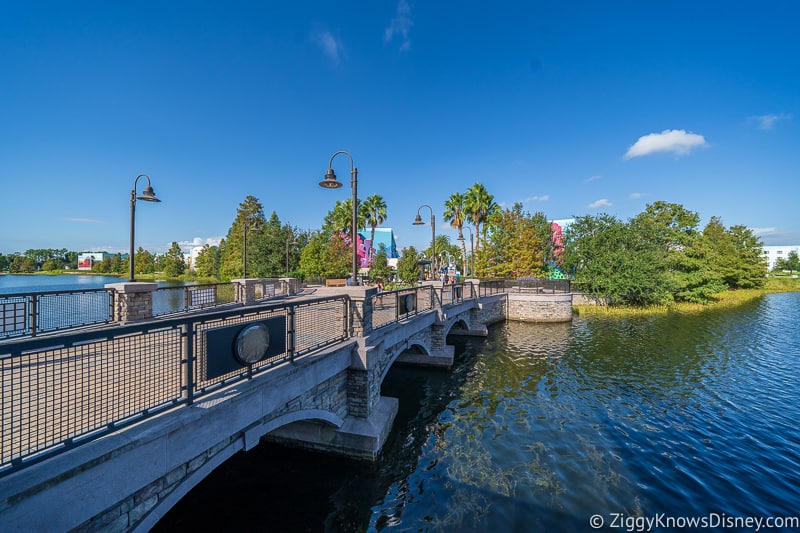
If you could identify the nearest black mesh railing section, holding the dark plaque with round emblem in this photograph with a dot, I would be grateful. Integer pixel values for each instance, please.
(57, 392)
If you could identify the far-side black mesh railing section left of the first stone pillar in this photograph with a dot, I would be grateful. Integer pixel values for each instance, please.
(29, 314)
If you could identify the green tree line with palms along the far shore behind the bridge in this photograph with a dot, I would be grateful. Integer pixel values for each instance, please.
(659, 256)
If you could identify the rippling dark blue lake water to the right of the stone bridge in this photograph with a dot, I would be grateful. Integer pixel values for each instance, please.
(539, 427)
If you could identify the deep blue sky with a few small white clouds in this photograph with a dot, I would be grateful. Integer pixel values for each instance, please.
(571, 108)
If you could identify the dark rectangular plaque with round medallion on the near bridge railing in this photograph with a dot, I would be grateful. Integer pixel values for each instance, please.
(230, 348)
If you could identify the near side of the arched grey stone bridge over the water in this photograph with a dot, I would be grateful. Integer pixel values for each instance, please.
(326, 399)
